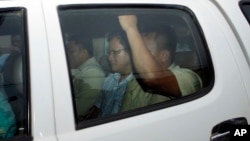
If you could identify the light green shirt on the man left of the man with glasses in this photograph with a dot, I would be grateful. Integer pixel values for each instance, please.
(88, 80)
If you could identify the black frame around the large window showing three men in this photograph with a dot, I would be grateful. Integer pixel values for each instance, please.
(151, 108)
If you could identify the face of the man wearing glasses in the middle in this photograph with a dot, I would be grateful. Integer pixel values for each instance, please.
(118, 57)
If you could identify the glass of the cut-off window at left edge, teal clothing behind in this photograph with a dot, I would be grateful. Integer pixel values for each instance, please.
(13, 82)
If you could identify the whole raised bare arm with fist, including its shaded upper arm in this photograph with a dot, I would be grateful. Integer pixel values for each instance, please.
(145, 64)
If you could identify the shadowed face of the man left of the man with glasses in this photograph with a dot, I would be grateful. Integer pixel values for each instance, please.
(77, 56)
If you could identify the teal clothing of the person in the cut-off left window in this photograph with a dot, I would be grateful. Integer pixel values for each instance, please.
(7, 118)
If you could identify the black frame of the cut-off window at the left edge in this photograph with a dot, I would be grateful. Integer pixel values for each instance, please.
(25, 74)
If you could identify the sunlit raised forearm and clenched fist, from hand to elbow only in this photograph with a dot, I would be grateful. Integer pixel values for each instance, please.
(140, 53)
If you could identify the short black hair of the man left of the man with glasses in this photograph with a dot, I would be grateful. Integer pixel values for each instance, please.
(82, 41)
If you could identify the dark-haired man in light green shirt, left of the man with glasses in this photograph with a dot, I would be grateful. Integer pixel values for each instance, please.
(87, 74)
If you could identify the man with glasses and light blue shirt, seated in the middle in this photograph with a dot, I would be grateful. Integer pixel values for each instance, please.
(122, 81)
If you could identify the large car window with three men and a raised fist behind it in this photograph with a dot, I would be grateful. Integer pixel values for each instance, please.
(128, 60)
